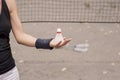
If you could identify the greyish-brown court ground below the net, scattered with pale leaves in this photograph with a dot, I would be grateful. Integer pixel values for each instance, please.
(100, 62)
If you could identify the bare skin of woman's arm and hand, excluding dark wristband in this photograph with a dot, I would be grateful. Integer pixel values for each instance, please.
(20, 36)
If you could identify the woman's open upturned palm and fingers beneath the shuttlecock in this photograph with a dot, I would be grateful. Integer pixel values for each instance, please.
(59, 44)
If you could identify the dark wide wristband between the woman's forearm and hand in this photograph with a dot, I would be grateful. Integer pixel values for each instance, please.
(43, 44)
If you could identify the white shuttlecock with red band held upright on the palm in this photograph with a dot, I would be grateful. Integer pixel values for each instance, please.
(59, 36)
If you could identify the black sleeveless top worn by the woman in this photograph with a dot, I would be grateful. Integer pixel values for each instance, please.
(6, 59)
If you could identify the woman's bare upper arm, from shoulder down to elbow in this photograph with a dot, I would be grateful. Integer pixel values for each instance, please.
(15, 20)
